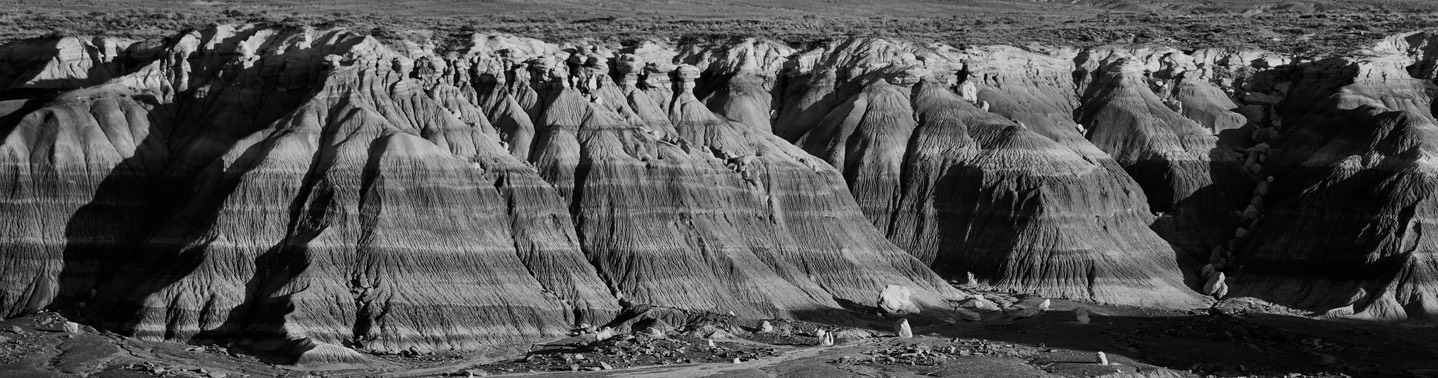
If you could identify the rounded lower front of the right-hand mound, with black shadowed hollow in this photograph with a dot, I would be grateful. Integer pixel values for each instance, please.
(1042, 218)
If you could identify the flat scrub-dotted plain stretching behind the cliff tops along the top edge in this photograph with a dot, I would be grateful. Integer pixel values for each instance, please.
(1302, 31)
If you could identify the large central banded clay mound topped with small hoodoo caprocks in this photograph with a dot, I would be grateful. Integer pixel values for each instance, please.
(682, 208)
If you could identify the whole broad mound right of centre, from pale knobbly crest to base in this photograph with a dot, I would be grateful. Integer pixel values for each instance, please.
(1017, 212)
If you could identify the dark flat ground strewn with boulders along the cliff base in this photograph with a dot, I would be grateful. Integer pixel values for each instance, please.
(1235, 340)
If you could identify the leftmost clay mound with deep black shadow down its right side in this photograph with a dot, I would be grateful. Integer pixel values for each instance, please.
(103, 162)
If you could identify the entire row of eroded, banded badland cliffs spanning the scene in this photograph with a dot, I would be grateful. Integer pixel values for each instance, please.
(320, 195)
